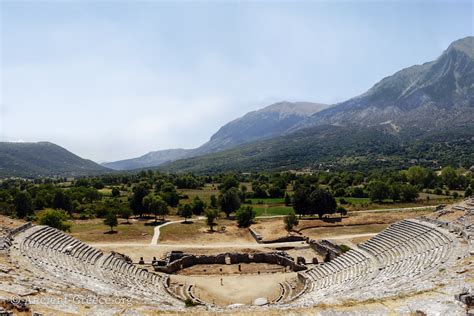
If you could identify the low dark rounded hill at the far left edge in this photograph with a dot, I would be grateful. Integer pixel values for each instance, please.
(43, 159)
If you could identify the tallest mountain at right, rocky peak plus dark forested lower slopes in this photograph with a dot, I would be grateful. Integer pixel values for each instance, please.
(423, 114)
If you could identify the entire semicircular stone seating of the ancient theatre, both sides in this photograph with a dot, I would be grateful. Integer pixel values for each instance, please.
(407, 259)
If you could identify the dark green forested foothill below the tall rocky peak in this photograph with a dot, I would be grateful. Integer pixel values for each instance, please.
(343, 148)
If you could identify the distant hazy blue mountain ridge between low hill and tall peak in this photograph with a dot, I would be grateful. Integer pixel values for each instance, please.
(274, 120)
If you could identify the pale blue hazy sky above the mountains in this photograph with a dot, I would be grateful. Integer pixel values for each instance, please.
(113, 80)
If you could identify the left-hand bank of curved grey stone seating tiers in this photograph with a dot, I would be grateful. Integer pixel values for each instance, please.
(62, 255)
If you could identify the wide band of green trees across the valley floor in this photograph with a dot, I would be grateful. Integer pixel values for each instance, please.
(153, 192)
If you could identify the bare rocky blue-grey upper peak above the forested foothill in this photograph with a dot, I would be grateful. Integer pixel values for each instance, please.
(433, 95)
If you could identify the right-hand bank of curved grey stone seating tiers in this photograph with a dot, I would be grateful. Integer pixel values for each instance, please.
(404, 251)
